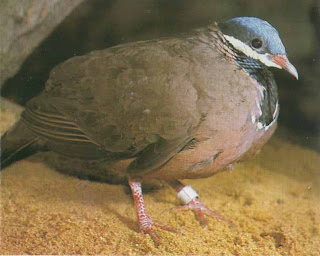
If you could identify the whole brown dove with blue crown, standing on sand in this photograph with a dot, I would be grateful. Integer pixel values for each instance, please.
(183, 107)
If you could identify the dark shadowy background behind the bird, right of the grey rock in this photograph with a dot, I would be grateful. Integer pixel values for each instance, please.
(98, 24)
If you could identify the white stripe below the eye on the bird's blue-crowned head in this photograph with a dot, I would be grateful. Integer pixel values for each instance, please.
(251, 53)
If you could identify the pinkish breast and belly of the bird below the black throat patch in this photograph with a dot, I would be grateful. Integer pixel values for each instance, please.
(230, 130)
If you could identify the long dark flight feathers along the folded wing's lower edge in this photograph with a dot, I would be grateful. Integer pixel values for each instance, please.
(58, 129)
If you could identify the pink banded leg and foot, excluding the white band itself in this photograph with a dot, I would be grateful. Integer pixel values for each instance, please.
(194, 204)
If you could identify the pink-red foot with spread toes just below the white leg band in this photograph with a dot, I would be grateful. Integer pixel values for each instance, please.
(200, 210)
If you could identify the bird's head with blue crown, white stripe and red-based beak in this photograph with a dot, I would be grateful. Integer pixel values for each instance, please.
(257, 39)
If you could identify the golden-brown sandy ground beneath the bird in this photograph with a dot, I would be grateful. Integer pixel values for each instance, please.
(274, 200)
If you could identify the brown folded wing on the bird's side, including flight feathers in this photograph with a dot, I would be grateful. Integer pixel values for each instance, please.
(135, 100)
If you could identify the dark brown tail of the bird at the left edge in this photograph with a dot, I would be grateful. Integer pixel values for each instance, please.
(18, 143)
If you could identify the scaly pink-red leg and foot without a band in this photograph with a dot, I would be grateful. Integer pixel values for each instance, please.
(145, 222)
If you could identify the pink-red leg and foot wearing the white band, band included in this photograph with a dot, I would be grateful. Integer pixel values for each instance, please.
(190, 200)
